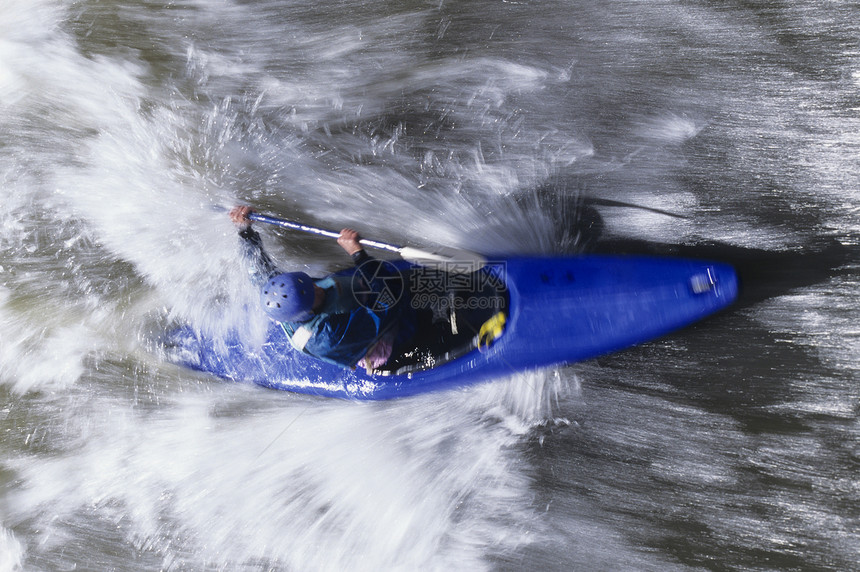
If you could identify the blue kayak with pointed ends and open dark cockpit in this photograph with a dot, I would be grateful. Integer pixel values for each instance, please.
(517, 314)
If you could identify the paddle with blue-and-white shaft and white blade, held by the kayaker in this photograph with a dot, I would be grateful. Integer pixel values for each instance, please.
(454, 259)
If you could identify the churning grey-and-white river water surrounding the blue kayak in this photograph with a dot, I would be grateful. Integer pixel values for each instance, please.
(718, 129)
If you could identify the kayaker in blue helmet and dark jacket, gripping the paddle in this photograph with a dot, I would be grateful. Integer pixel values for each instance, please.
(329, 318)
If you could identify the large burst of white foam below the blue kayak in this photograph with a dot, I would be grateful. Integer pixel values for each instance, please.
(244, 478)
